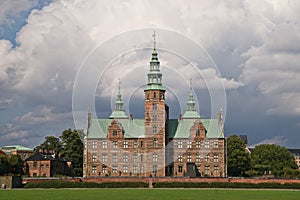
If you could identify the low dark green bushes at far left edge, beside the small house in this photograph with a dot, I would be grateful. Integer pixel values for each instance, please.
(11, 165)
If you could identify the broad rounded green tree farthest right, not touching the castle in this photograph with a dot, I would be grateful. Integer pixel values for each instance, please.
(272, 158)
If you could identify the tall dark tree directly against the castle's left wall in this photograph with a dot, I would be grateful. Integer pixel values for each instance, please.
(72, 147)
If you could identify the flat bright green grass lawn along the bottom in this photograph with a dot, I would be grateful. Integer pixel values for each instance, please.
(173, 194)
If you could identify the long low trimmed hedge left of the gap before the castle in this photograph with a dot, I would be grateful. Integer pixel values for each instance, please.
(67, 184)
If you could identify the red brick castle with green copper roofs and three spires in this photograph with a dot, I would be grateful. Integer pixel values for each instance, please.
(156, 145)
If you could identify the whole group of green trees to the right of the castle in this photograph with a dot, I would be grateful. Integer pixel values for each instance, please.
(264, 159)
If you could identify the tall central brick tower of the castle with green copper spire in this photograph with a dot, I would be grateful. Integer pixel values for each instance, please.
(156, 116)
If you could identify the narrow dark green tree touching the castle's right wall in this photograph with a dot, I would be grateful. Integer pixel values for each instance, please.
(238, 160)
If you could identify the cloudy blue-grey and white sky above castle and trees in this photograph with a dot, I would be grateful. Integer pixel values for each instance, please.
(61, 58)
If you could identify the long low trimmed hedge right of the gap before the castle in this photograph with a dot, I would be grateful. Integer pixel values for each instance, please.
(225, 185)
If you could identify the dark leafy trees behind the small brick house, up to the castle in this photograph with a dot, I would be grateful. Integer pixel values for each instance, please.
(68, 144)
